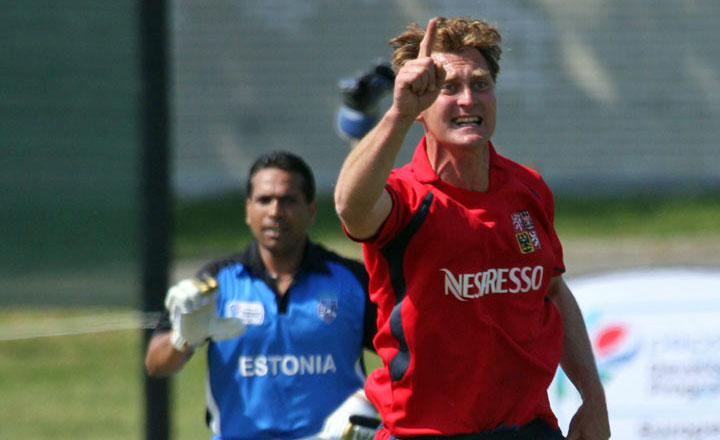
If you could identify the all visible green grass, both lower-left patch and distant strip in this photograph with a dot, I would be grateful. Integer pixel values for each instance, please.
(57, 381)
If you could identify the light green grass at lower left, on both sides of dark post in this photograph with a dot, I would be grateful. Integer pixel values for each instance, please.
(84, 386)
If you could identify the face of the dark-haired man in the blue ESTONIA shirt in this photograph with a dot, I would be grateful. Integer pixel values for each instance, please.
(277, 212)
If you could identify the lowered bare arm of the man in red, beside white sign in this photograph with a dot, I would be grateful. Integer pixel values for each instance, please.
(590, 422)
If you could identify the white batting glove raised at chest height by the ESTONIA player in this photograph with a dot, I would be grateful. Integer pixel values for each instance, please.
(192, 304)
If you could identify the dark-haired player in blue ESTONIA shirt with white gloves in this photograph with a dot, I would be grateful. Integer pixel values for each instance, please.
(286, 321)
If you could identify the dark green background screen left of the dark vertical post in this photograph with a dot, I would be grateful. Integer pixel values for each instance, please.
(70, 163)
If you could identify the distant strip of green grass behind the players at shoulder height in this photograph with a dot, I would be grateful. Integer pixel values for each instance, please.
(215, 226)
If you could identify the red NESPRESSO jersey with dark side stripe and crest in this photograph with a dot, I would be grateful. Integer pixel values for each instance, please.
(467, 336)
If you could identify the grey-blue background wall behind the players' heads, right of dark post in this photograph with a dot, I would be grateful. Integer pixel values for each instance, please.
(605, 96)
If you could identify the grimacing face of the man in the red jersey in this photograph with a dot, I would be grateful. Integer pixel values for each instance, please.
(464, 114)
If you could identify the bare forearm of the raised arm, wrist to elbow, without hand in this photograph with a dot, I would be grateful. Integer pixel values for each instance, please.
(360, 198)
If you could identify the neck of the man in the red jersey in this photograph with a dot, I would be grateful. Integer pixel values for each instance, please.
(464, 167)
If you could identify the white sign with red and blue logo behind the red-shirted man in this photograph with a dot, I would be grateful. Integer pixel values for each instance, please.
(656, 339)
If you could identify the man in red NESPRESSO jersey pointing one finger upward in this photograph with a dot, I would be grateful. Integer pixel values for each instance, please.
(465, 265)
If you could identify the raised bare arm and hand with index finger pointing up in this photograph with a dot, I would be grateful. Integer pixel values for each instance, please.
(360, 197)
